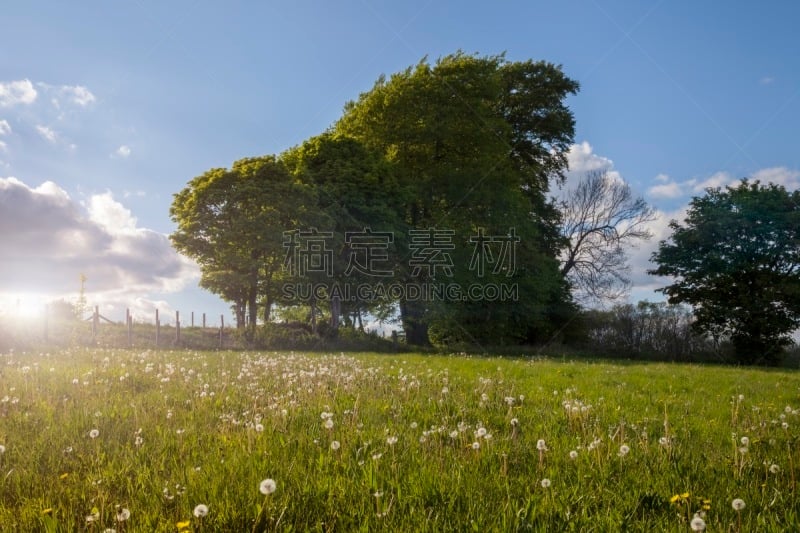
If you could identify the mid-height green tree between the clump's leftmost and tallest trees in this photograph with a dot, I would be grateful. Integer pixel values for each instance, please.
(358, 191)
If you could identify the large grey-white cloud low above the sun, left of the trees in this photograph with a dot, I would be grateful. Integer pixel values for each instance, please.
(48, 240)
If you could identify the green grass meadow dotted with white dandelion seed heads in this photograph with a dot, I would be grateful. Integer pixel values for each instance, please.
(95, 440)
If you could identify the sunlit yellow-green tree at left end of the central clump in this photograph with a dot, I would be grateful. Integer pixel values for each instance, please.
(232, 222)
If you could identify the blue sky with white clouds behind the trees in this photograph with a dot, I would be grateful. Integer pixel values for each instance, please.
(107, 109)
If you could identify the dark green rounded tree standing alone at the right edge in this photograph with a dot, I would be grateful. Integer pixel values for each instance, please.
(736, 260)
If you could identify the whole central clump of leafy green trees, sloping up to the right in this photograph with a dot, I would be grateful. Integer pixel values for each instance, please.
(448, 164)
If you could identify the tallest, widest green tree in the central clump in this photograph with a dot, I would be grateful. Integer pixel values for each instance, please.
(476, 142)
